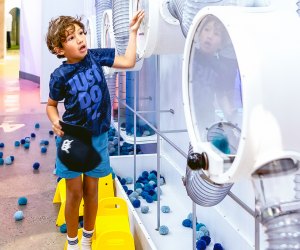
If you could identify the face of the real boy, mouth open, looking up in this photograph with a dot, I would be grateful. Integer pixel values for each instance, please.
(75, 46)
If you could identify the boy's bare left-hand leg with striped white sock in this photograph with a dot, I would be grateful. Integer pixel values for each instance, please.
(73, 198)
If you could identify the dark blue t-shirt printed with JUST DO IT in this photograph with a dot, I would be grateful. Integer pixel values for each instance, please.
(83, 88)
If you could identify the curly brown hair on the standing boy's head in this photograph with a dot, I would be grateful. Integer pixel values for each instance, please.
(58, 31)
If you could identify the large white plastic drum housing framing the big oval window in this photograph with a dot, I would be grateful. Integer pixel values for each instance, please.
(267, 54)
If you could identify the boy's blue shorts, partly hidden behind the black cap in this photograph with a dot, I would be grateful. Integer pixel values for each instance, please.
(100, 143)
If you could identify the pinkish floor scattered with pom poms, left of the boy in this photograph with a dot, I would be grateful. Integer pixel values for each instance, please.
(20, 110)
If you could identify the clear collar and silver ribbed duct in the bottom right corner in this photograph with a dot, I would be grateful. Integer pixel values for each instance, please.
(278, 202)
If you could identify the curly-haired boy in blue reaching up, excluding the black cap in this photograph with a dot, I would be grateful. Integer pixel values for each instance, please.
(80, 82)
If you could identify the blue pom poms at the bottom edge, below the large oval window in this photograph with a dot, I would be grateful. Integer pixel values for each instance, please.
(202, 234)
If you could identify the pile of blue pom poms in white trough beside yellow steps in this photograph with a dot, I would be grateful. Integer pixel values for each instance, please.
(145, 188)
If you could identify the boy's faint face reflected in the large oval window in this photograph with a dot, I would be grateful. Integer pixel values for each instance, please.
(210, 38)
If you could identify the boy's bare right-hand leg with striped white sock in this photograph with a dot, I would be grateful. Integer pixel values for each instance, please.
(90, 196)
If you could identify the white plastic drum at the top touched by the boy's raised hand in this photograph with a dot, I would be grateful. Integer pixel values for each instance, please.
(159, 32)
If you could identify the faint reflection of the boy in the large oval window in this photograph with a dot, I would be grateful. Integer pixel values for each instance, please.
(213, 70)
